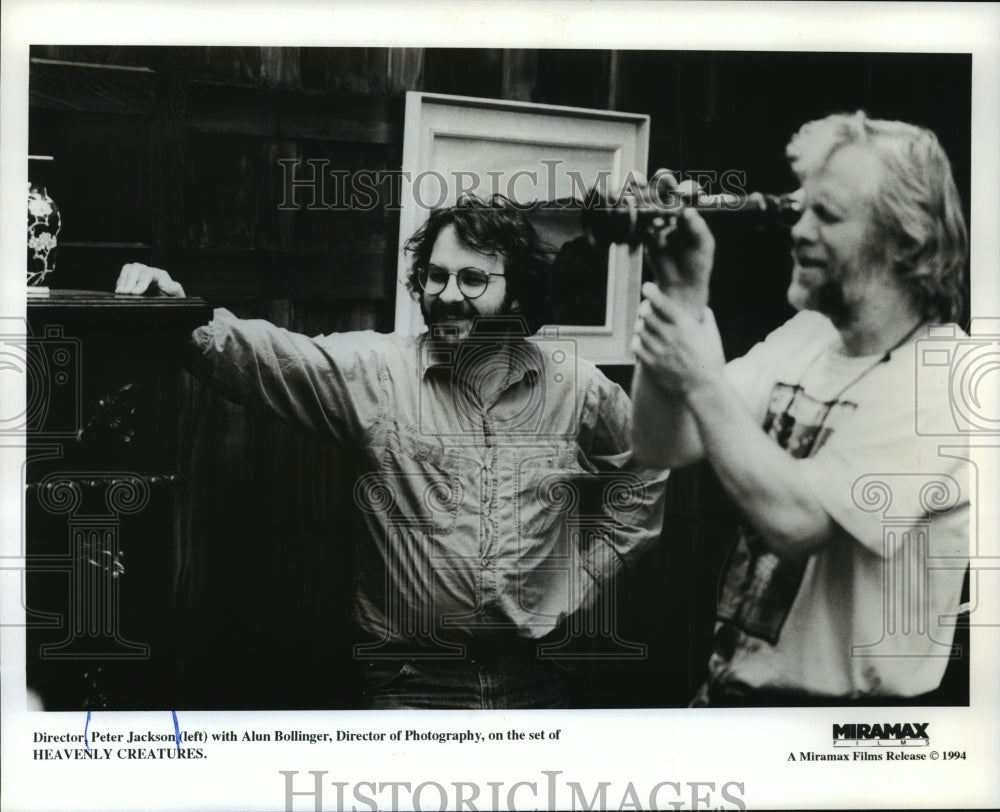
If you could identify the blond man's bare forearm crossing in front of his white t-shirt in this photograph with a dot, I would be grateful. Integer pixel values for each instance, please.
(759, 476)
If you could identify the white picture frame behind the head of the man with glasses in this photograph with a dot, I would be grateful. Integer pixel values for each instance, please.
(528, 152)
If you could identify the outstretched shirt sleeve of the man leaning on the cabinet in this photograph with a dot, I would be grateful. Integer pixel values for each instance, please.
(328, 385)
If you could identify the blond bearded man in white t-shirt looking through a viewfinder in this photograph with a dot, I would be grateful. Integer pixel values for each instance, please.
(814, 432)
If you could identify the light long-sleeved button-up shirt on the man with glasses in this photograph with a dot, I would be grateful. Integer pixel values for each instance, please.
(497, 489)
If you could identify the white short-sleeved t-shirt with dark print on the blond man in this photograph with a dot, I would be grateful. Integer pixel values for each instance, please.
(872, 612)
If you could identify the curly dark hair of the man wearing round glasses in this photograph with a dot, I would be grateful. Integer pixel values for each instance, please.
(497, 227)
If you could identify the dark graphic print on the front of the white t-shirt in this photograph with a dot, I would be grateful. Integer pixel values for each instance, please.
(759, 587)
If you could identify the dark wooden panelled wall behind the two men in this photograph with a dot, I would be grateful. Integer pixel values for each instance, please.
(170, 156)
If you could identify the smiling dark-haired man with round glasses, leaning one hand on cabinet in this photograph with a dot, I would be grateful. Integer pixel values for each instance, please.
(497, 489)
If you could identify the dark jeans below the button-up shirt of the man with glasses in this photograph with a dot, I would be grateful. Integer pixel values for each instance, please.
(471, 683)
